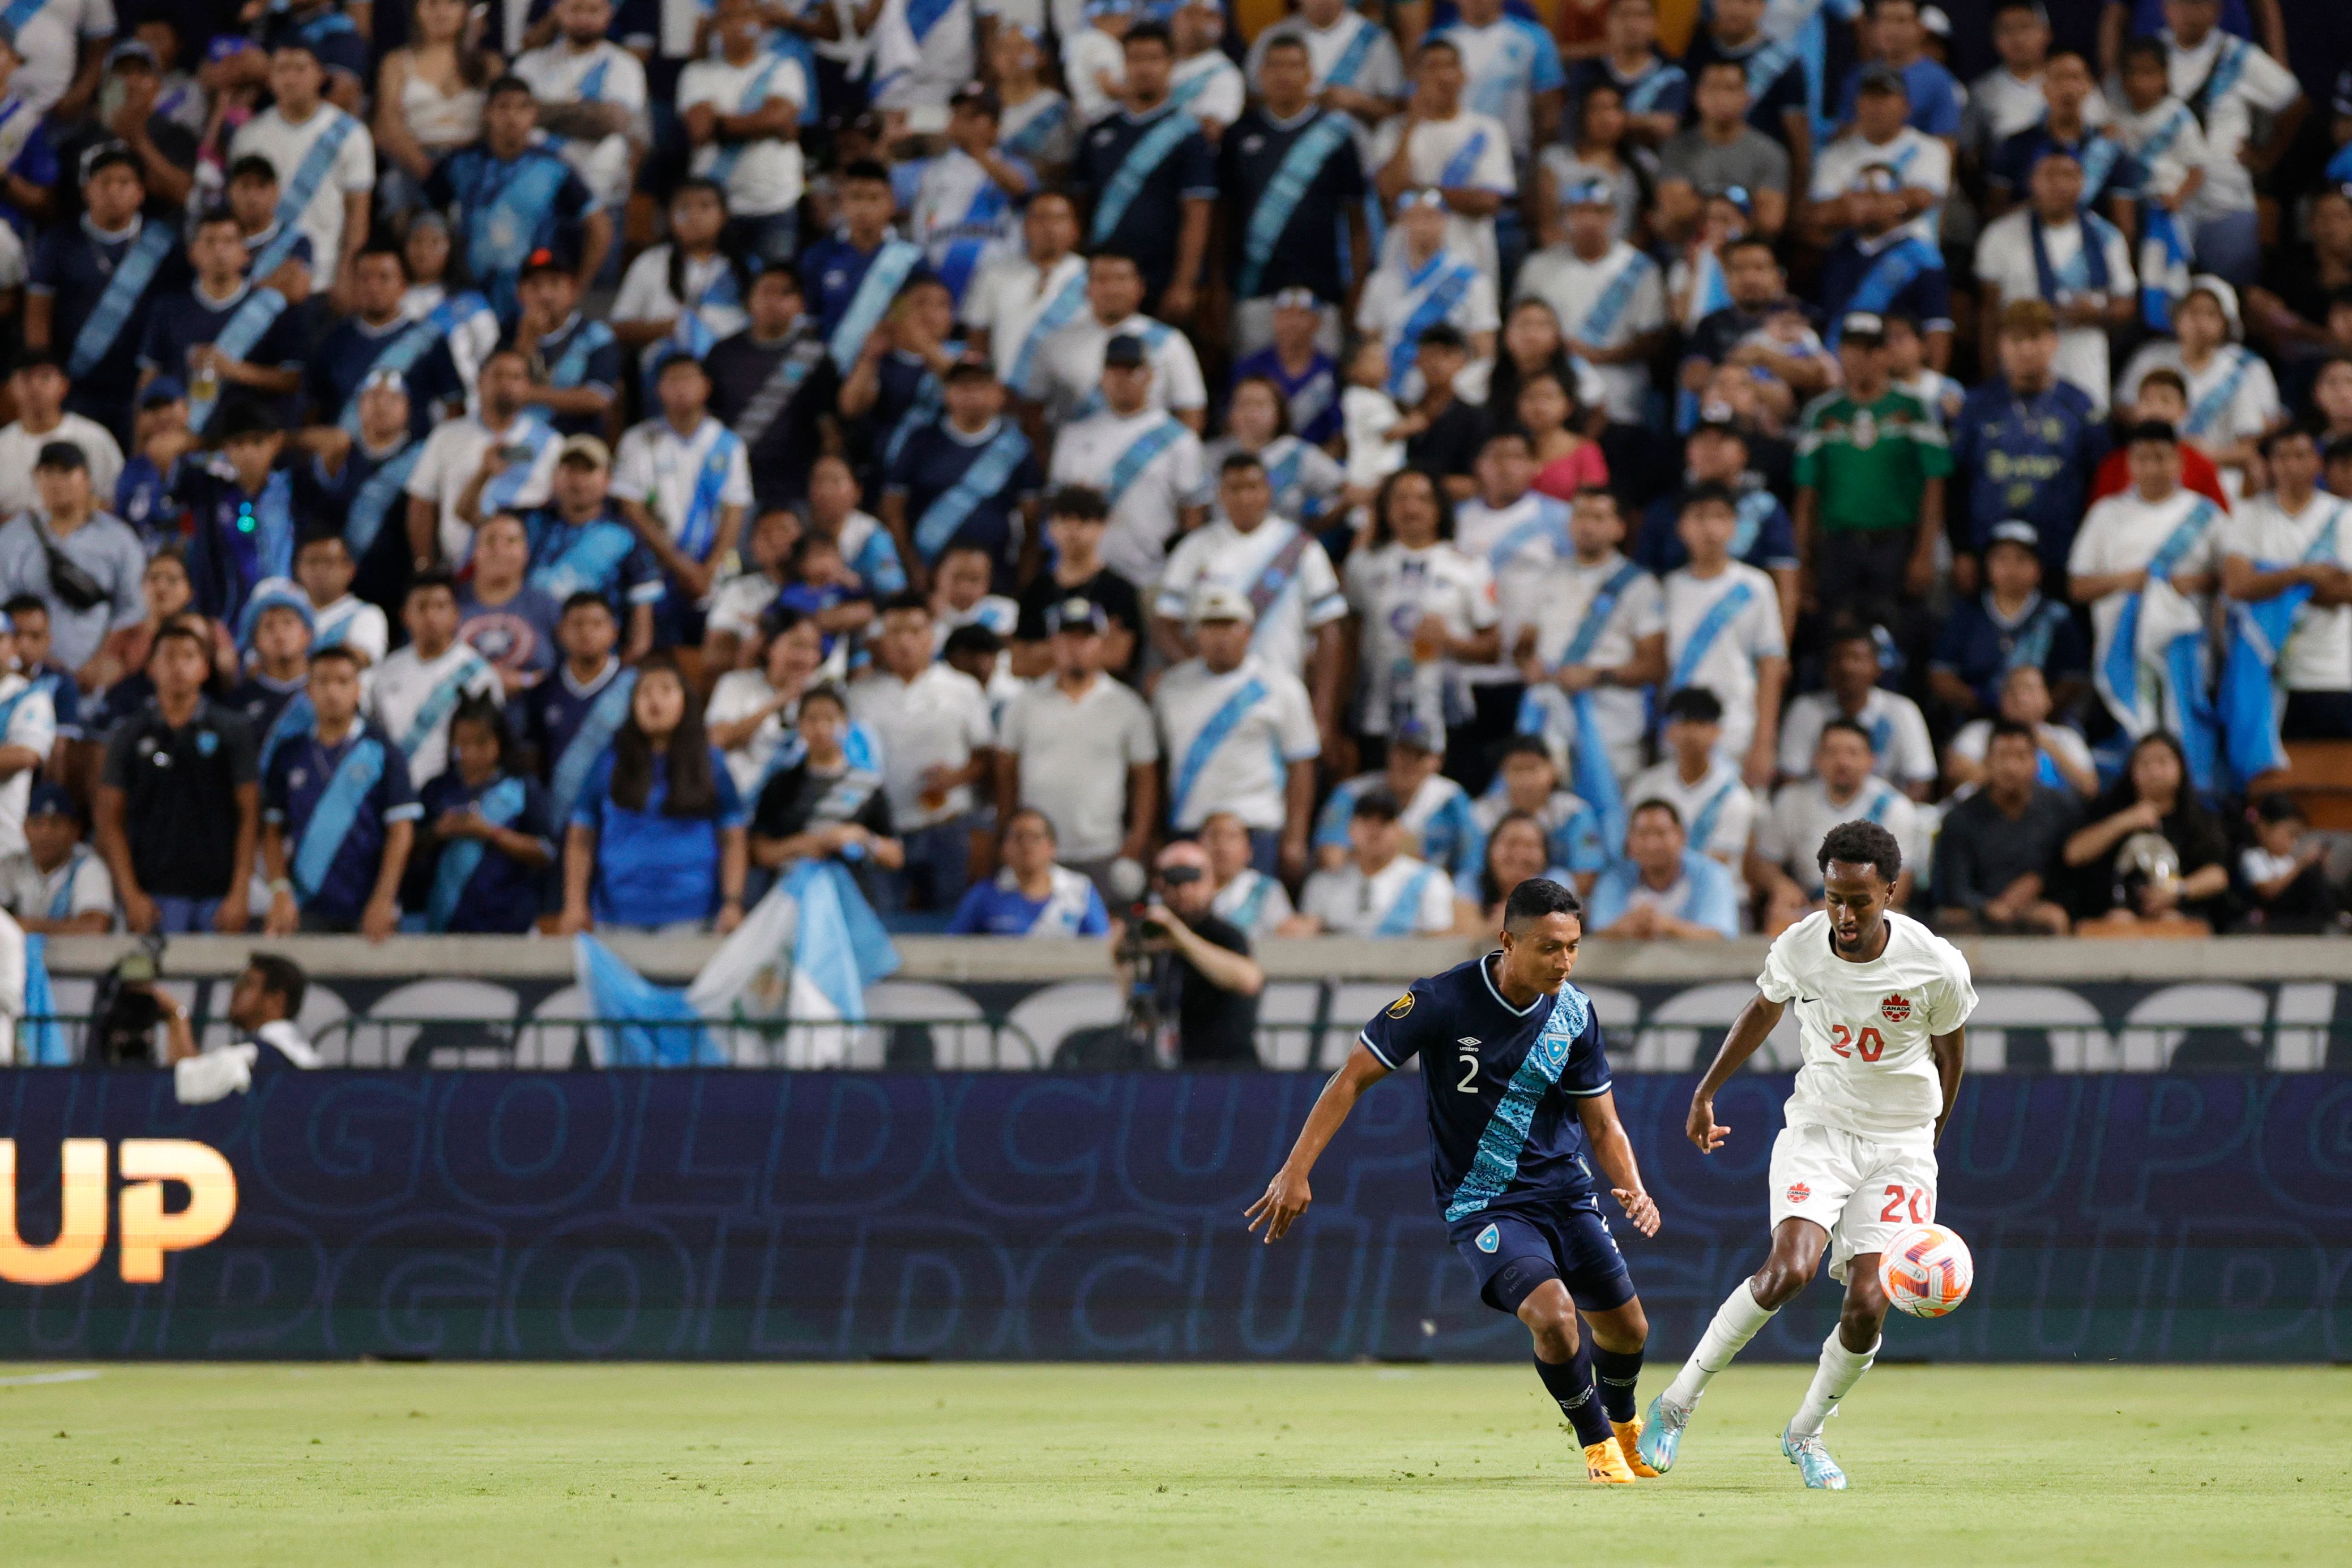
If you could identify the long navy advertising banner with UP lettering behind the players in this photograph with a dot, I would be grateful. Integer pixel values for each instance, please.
(1050, 1217)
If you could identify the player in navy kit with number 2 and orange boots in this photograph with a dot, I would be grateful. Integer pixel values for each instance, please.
(1521, 1113)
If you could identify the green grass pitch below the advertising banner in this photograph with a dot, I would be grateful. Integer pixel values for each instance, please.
(1045, 1466)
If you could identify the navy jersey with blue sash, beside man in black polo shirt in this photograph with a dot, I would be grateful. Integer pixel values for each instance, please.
(335, 808)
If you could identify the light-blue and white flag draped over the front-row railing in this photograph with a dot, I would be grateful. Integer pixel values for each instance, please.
(803, 958)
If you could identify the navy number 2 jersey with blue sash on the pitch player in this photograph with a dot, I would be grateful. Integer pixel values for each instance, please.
(1502, 1087)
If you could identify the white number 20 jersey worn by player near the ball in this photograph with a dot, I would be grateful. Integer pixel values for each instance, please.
(1866, 1028)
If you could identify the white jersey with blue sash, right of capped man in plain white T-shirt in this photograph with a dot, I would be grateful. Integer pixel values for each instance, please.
(1231, 739)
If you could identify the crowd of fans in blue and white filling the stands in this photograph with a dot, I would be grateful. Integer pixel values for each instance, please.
(554, 467)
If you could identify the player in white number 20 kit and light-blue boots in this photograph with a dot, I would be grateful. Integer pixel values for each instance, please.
(1880, 1007)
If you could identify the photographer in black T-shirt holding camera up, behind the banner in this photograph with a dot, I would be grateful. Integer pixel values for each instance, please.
(1194, 989)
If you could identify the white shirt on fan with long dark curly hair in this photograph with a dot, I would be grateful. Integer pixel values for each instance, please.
(1391, 591)
